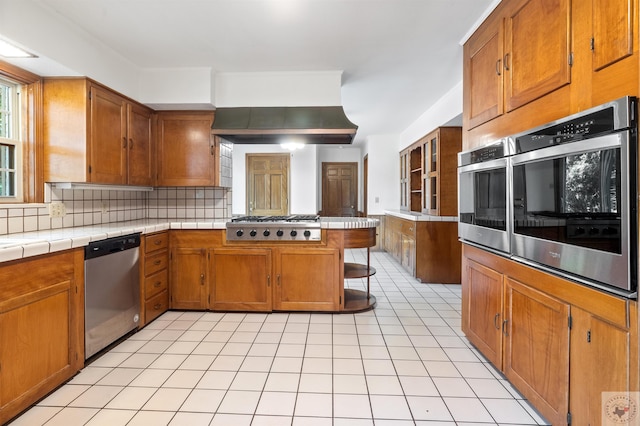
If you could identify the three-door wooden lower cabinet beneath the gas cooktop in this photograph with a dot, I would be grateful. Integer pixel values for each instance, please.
(206, 273)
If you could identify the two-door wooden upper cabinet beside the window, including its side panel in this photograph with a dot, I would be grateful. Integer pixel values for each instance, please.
(94, 135)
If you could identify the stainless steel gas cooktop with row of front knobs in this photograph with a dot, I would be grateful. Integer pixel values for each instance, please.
(274, 228)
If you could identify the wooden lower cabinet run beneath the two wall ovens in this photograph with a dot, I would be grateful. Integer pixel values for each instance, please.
(561, 344)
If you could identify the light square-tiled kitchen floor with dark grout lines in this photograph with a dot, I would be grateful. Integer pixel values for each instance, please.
(404, 363)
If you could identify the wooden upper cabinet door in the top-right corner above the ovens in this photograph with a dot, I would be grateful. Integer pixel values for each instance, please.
(612, 31)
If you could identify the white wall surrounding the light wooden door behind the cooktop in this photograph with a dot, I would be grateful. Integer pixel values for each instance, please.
(303, 177)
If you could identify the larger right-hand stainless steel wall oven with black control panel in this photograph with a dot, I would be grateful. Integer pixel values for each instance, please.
(575, 197)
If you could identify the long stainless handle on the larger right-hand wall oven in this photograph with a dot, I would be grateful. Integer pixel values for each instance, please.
(613, 140)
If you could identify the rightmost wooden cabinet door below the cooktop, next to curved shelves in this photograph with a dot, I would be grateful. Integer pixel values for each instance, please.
(307, 280)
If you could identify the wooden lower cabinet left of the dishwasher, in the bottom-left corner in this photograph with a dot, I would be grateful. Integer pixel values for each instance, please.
(41, 327)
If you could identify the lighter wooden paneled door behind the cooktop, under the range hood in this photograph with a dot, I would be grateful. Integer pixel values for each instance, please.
(267, 184)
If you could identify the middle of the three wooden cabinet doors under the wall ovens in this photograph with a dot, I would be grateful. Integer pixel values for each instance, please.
(537, 349)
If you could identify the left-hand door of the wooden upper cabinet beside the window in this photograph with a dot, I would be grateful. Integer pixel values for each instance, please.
(108, 139)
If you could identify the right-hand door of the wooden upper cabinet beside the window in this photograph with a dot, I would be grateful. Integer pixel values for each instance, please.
(139, 170)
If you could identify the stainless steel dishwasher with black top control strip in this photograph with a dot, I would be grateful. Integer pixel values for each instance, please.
(112, 291)
